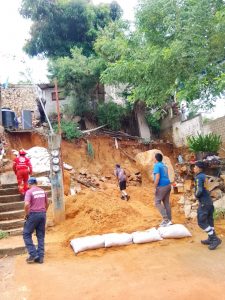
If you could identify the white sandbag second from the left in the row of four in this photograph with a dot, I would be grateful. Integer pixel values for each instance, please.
(117, 239)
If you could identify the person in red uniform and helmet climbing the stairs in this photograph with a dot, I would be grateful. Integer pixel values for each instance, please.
(22, 168)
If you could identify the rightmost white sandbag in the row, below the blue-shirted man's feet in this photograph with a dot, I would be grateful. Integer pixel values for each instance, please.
(175, 231)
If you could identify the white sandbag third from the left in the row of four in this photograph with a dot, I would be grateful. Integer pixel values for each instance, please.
(151, 235)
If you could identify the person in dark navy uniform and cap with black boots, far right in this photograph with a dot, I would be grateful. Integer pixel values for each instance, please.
(206, 208)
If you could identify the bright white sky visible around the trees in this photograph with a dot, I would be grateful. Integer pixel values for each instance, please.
(15, 30)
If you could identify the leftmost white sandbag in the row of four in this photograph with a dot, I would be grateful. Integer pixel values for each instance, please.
(87, 243)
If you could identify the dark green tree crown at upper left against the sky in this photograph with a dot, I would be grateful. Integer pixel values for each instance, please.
(58, 26)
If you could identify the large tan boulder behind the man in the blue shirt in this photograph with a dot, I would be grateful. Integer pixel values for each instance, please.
(145, 162)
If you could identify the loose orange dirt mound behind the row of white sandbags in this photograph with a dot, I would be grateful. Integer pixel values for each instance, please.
(97, 212)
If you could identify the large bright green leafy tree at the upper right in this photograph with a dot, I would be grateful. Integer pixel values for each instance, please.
(178, 46)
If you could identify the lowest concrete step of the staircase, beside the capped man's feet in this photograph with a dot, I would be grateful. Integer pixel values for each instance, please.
(13, 245)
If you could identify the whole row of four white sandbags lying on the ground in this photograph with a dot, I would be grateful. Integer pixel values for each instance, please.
(122, 239)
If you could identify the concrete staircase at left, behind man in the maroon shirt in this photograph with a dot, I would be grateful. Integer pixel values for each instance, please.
(12, 219)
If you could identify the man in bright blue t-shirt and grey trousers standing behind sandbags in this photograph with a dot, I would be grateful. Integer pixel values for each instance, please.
(162, 190)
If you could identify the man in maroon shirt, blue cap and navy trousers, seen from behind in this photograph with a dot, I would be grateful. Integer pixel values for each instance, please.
(36, 205)
